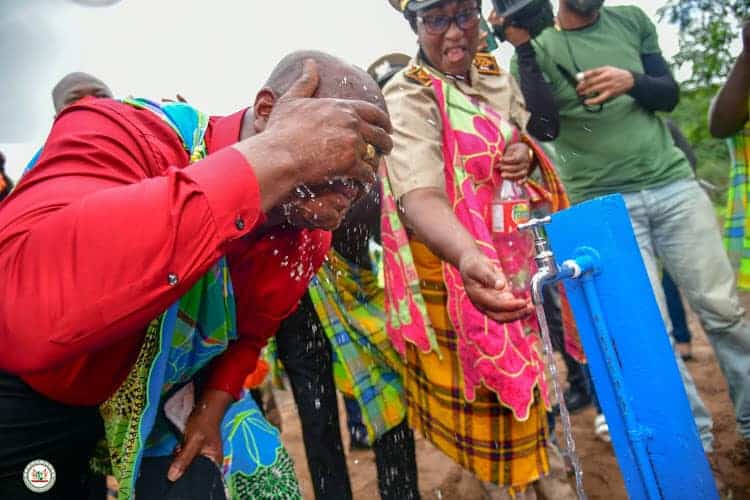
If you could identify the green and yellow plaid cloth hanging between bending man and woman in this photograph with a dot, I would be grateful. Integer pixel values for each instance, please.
(349, 304)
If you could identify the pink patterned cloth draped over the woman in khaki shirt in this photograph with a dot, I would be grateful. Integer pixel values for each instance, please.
(474, 138)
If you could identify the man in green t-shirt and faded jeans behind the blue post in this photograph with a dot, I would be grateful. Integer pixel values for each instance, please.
(608, 79)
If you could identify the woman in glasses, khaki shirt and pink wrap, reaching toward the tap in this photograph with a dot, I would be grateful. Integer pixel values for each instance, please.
(474, 375)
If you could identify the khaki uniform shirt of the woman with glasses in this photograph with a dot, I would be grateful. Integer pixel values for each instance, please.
(417, 157)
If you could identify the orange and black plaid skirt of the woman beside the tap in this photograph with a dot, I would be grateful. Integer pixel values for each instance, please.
(483, 436)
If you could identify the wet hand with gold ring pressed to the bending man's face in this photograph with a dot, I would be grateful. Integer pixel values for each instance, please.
(328, 138)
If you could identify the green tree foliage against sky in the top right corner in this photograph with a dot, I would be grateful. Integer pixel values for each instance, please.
(708, 29)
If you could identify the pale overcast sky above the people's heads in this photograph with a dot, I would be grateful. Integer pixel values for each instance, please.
(217, 54)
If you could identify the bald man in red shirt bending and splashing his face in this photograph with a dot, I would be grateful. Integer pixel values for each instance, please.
(113, 225)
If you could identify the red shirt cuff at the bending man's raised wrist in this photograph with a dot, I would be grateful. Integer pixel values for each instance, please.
(229, 183)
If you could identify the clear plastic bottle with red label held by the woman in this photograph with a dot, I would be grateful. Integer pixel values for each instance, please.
(511, 207)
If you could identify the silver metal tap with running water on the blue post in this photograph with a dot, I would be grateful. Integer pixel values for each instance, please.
(548, 271)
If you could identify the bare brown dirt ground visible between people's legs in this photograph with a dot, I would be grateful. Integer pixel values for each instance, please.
(441, 479)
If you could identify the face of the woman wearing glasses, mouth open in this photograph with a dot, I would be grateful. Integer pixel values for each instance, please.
(450, 48)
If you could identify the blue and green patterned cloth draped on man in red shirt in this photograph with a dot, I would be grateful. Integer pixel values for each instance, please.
(176, 346)
